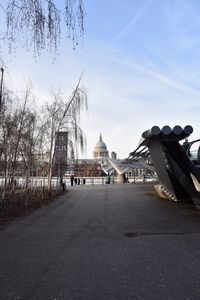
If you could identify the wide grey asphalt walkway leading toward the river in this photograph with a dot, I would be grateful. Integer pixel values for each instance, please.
(103, 242)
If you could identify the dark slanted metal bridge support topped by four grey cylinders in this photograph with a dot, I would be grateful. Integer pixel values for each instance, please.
(173, 166)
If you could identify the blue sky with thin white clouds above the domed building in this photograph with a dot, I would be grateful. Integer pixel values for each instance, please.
(141, 62)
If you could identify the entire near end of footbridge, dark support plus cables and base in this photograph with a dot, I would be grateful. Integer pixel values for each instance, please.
(177, 169)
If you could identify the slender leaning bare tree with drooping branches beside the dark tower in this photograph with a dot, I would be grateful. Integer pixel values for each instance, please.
(65, 115)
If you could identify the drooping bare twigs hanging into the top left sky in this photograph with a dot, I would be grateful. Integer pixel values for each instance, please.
(37, 24)
